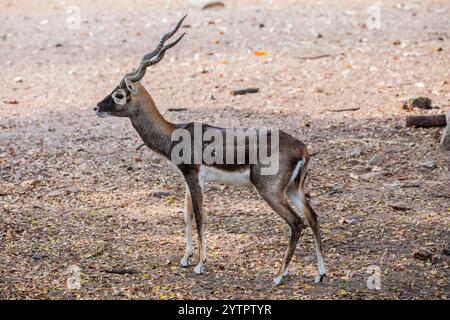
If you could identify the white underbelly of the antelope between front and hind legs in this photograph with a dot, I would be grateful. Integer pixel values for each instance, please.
(234, 178)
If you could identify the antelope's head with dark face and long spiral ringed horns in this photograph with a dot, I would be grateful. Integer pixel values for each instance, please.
(124, 100)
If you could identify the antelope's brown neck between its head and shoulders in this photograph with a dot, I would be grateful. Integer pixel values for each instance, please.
(153, 128)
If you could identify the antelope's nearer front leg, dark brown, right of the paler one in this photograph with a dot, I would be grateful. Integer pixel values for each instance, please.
(196, 191)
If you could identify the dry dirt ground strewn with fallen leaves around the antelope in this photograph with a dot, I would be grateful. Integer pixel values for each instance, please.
(75, 192)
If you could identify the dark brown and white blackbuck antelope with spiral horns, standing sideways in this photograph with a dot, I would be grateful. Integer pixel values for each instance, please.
(130, 99)
